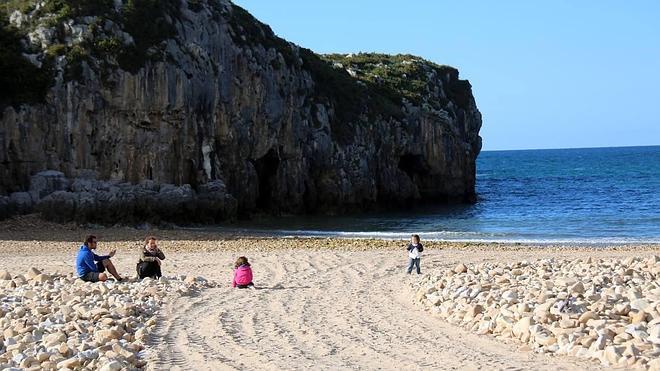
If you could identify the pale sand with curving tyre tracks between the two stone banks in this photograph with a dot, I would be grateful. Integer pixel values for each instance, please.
(325, 310)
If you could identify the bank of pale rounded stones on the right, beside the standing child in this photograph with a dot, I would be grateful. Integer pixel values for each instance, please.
(606, 310)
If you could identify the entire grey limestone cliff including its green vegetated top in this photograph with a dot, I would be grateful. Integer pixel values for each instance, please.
(205, 114)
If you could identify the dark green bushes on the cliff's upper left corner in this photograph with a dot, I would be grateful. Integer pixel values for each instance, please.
(148, 22)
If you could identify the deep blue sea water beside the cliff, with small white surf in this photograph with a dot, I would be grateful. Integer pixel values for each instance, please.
(593, 196)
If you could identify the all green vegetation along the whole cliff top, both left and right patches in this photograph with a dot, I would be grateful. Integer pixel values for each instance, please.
(357, 85)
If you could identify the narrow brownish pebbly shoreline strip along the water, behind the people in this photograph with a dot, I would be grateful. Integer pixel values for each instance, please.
(30, 229)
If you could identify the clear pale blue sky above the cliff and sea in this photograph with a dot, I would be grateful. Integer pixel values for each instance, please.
(553, 74)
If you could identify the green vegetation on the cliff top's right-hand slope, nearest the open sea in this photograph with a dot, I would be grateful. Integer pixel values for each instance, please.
(378, 81)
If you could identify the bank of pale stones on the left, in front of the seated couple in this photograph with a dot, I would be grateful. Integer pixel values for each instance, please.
(82, 323)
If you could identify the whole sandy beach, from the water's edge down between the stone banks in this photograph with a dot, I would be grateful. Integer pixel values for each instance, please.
(325, 303)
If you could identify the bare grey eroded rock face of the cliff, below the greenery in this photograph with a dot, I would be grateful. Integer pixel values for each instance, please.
(237, 118)
